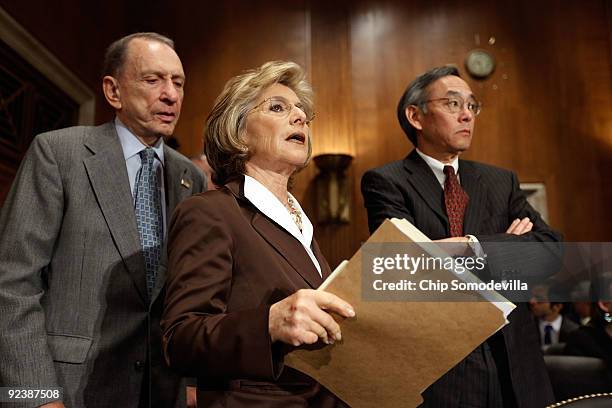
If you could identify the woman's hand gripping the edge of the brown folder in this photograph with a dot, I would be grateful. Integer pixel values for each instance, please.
(303, 318)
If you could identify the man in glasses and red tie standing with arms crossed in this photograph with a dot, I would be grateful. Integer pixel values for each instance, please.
(463, 201)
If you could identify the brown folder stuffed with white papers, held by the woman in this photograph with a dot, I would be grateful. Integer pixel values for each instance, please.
(392, 351)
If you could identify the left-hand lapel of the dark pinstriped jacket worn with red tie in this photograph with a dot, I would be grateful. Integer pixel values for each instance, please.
(426, 184)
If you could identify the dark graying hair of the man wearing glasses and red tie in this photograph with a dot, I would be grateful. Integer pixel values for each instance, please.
(416, 94)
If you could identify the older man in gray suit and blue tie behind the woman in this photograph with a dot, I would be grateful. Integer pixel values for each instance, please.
(82, 240)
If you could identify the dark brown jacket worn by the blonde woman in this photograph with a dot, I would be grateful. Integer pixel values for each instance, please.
(228, 263)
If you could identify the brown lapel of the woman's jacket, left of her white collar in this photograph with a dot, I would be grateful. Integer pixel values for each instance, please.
(284, 243)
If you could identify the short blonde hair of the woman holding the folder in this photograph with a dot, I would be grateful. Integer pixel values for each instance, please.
(224, 144)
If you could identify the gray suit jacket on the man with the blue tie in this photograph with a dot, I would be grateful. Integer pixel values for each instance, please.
(74, 308)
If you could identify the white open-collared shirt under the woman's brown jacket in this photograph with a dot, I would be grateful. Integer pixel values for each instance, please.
(270, 205)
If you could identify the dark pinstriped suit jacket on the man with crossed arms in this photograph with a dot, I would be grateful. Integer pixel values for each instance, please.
(409, 189)
